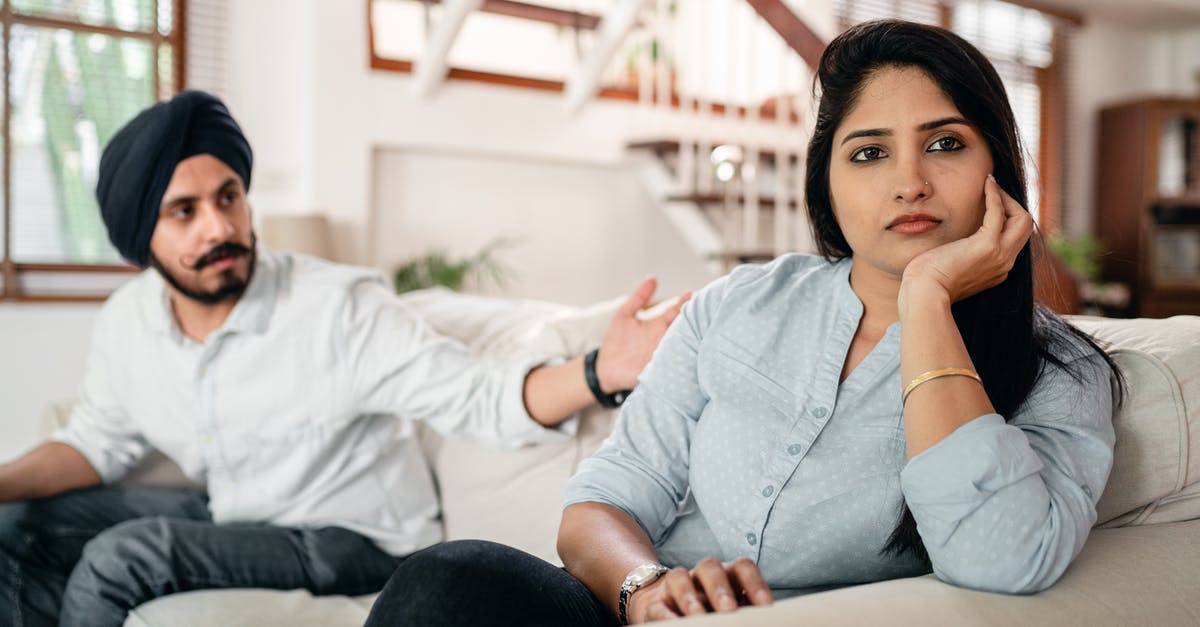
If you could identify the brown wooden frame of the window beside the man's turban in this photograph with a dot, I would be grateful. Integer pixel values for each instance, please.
(11, 270)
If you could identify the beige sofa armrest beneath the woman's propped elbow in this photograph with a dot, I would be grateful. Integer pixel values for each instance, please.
(1131, 576)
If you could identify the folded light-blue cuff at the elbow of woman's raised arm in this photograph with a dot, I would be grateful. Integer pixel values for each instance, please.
(951, 480)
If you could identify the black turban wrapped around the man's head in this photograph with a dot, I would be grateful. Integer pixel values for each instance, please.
(140, 160)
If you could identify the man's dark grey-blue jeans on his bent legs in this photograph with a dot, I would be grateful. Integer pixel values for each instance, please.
(100, 553)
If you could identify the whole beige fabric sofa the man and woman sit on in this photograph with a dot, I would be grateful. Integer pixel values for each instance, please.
(1142, 566)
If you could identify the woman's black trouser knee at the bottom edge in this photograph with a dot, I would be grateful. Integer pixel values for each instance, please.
(483, 584)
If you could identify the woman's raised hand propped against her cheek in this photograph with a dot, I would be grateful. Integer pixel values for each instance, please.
(975, 264)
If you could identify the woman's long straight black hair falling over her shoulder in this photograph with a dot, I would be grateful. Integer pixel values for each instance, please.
(1009, 337)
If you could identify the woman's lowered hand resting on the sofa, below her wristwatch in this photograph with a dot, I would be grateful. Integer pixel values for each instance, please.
(710, 587)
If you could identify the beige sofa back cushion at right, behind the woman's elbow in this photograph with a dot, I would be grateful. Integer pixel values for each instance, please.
(1156, 468)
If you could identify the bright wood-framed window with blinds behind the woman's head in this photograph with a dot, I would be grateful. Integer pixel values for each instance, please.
(1024, 46)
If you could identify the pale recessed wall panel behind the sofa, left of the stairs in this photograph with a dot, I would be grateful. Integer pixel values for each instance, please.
(580, 232)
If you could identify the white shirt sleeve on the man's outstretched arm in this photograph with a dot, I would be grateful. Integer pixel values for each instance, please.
(400, 366)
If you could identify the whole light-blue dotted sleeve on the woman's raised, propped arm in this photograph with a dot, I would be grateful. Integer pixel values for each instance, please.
(1006, 507)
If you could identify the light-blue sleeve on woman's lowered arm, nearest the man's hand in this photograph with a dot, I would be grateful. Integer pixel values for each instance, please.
(643, 468)
